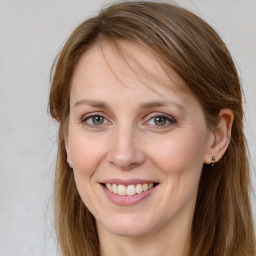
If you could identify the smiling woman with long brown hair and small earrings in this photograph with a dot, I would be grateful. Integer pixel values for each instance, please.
(152, 155)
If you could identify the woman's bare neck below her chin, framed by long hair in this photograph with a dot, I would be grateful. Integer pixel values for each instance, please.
(175, 241)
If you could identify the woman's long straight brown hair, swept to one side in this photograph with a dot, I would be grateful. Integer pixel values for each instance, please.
(222, 223)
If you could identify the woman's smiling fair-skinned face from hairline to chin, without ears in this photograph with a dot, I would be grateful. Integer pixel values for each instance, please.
(136, 150)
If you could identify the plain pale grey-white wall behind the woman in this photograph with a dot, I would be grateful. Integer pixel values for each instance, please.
(31, 34)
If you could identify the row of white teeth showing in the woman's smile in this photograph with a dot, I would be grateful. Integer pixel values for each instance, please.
(129, 190)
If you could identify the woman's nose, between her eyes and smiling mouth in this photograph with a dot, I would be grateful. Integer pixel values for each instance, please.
(125, 151)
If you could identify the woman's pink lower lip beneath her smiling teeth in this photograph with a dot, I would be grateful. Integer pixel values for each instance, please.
(127, 200)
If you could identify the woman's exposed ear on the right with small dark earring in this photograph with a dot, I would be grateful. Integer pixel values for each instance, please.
(220, 137)
